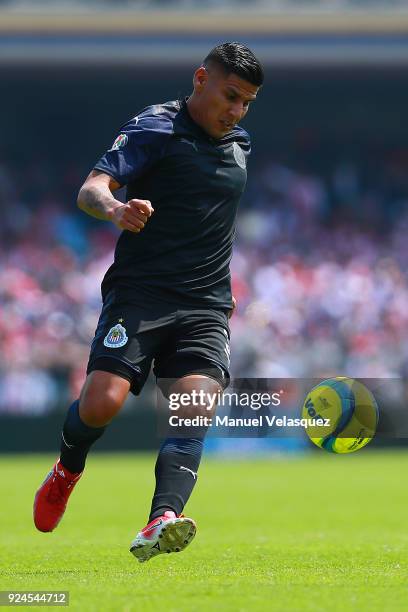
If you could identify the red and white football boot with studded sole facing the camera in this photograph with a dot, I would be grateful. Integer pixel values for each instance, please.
(165, 534)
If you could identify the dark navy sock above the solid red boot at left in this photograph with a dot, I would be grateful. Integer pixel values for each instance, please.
(76, 440)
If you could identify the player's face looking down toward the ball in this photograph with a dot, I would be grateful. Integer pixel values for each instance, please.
(223, 100)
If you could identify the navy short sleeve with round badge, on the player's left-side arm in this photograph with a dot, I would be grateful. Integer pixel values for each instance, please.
(137, 147)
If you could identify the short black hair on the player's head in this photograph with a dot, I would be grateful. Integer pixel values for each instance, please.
(237, 58)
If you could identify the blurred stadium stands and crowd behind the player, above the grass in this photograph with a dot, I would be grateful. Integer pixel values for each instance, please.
(320, 263)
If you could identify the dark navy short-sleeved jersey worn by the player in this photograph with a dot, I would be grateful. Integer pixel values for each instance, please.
(194, 183)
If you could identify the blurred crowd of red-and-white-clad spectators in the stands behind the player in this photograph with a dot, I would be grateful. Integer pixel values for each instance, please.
(319, 272)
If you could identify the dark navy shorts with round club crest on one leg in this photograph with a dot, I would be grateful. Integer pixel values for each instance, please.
(178, 341)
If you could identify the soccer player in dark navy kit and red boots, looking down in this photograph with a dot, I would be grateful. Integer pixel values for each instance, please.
(167, 296)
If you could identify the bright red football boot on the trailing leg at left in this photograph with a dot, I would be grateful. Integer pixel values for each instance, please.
(52, 497)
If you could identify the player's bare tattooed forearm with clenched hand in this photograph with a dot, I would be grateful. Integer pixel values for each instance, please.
(96, 199)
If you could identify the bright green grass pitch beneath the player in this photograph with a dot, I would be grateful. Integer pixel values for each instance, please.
(314, 532)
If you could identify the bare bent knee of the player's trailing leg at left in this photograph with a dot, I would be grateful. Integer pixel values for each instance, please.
(102, 398)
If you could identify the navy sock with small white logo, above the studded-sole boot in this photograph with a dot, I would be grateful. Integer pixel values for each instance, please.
(176, 474)
